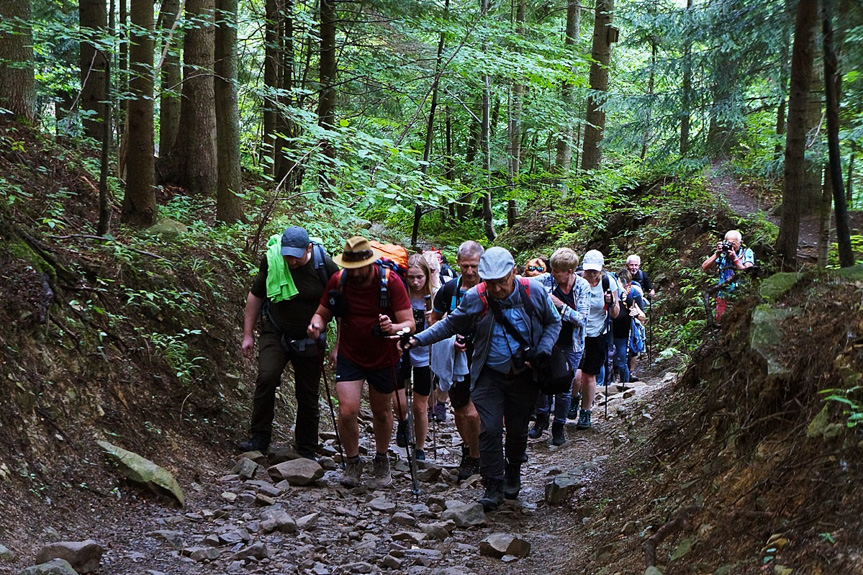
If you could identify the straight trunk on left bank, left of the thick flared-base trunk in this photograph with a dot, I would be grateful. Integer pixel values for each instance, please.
(139, 202)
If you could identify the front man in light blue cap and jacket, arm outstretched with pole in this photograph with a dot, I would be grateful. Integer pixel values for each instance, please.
(514, 326)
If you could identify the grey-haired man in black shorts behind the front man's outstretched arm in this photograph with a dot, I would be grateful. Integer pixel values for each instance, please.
(446, 300)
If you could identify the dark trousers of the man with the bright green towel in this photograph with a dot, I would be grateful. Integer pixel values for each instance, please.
(272, 361)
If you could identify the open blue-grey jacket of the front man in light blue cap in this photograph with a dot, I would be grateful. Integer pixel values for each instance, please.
(473, 316)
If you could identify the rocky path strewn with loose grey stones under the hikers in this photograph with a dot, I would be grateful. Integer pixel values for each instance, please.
(257, 515)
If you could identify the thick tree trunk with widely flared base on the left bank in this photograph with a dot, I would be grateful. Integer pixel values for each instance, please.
(192, 163)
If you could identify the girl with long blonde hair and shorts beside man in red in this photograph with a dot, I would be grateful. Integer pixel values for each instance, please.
(416, 360)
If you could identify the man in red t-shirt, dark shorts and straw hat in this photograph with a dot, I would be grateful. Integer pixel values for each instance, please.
(371, 303)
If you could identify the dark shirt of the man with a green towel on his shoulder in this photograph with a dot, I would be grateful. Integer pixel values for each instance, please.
(292, 317)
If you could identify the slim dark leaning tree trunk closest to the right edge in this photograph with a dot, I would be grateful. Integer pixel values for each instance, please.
(832, 79)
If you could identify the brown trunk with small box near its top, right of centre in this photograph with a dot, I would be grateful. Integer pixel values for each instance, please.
(601, 53)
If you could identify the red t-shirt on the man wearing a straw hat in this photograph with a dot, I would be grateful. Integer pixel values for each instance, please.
(356, 341)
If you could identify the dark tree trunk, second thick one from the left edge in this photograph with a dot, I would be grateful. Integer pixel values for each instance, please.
(92, 19)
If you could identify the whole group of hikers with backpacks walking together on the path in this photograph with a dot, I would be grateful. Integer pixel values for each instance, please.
(480, 338)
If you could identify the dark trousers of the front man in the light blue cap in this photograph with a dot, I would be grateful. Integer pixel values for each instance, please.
(503, 399)
